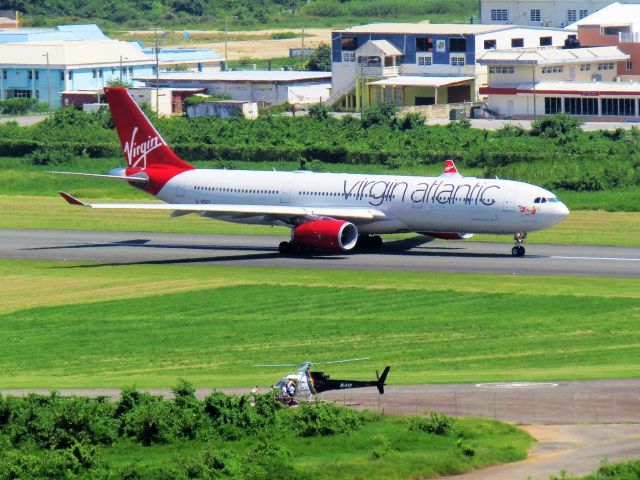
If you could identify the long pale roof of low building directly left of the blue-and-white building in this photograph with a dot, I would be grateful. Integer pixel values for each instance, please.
(258, 76)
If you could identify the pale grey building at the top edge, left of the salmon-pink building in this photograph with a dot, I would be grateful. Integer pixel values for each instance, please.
(538, 13)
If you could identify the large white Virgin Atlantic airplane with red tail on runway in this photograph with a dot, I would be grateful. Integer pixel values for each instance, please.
(327, 211)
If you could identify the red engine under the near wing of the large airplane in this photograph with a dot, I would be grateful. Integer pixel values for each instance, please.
(327, 234)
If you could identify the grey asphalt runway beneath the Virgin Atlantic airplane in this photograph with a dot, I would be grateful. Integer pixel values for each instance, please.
(126, 248)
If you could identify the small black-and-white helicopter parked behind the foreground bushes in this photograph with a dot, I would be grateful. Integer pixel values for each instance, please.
(307, 383)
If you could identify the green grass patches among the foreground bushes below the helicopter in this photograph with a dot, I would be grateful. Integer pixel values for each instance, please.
(411, 454)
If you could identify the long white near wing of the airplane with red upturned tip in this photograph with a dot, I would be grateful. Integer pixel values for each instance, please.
(347, 213)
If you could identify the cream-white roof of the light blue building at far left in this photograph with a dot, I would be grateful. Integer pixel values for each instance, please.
(72, 54)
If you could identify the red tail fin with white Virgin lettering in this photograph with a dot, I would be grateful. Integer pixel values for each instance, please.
(142, 144)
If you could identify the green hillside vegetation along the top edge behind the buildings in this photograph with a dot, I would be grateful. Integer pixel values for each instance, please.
(240, 13)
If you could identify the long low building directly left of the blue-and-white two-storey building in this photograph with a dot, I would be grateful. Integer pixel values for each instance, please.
(265, 87)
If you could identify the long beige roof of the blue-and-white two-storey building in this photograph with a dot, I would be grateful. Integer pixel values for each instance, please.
(424, 28)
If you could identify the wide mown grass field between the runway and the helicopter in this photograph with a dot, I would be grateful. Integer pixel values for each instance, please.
(151, 324)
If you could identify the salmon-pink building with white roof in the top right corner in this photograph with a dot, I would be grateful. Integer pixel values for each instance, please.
(615, 25)
